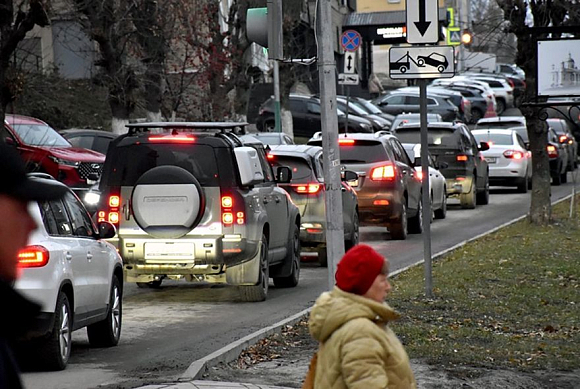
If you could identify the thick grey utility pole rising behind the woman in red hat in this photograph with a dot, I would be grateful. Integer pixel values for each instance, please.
(328, 108)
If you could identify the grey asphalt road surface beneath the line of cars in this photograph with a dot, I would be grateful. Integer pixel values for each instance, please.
(165, 330)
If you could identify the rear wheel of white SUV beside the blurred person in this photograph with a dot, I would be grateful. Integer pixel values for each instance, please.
(54, 351)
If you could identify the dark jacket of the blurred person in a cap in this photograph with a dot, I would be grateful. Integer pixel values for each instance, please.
(12, 326)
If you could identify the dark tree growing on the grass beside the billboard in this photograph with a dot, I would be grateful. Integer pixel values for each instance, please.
(544, 13)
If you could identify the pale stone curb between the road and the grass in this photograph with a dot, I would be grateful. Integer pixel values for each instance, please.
(232, 350)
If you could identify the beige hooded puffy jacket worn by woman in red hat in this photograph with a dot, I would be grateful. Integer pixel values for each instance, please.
(357, 348)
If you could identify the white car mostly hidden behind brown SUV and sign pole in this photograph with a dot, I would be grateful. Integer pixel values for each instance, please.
(437, 184)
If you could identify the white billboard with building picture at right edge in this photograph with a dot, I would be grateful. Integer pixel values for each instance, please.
(559, 67)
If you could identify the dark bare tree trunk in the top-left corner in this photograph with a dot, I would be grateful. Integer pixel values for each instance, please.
(16, 19)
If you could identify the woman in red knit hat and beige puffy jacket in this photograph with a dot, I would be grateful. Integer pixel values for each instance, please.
(357, 349)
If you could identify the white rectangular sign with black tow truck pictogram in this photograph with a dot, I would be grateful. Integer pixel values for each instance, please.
(421, 62)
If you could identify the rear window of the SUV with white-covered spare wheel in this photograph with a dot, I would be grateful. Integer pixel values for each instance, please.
(129, 163)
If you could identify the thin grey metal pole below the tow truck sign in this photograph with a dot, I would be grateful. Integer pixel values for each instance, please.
(426, 191)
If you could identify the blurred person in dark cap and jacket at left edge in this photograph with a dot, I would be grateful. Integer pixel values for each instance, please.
(16, 224)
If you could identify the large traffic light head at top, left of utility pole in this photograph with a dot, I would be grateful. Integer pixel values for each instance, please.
(264, 27)
